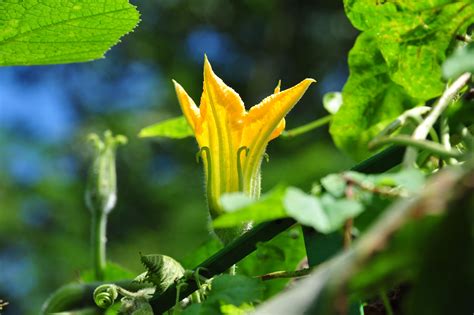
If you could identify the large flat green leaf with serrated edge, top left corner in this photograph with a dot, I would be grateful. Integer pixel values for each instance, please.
(39, 32)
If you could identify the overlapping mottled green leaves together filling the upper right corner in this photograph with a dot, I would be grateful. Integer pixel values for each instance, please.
(395, 63)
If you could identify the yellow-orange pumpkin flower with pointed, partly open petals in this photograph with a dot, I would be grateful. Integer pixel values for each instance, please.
(232, 140)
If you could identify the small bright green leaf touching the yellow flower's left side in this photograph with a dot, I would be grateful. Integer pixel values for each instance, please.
(175, 128)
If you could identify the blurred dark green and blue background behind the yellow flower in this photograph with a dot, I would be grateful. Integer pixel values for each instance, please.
(46, 113)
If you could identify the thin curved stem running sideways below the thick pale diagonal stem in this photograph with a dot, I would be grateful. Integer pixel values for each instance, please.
(430, 146)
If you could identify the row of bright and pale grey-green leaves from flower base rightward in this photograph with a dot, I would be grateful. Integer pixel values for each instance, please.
(327, 212)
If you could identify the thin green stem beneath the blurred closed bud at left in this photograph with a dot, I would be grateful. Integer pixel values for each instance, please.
(99, 239)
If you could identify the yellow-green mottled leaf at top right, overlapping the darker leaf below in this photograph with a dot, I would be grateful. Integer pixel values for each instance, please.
(413, 37)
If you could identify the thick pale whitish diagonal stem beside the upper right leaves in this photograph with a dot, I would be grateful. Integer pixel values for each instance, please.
(423, 129)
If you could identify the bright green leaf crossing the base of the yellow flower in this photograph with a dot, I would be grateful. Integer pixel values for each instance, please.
(268, 207)
